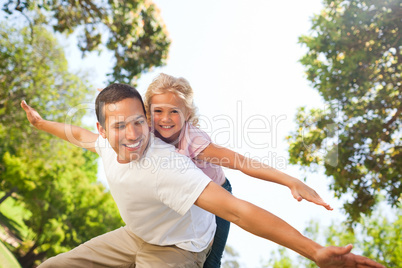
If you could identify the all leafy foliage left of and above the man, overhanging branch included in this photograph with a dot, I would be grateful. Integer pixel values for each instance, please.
(54, 182)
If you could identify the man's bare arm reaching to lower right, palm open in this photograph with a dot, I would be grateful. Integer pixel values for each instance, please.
(264, 224)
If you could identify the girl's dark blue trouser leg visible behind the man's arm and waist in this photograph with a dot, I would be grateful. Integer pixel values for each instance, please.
(221, 236)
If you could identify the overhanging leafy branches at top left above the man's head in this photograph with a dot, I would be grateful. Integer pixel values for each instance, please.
(132, 29)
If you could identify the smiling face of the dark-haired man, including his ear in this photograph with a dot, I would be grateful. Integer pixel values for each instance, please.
(126, 129)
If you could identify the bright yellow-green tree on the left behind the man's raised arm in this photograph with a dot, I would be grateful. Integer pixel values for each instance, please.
(52, 179)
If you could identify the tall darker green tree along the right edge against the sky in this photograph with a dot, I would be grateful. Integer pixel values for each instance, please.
(354, 61)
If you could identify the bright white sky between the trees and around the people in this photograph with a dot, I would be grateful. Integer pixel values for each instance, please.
(241, 59)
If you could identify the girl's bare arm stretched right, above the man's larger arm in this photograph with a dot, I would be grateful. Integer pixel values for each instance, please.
(227, 158)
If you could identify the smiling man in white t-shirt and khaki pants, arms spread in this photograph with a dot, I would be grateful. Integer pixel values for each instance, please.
(163, 198)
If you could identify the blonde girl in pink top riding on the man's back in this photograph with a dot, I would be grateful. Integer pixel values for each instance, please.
(172, 115)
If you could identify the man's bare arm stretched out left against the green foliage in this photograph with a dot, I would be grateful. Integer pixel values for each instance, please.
(73, 134)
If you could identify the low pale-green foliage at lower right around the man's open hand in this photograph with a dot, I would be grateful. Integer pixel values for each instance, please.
(377, 237)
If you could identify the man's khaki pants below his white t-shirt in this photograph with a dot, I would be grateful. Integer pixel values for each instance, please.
(121, 248)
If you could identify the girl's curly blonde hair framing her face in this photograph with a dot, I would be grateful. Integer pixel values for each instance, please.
(164, 83)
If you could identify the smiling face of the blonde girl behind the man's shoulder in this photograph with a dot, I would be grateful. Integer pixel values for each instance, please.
(168, 116)
